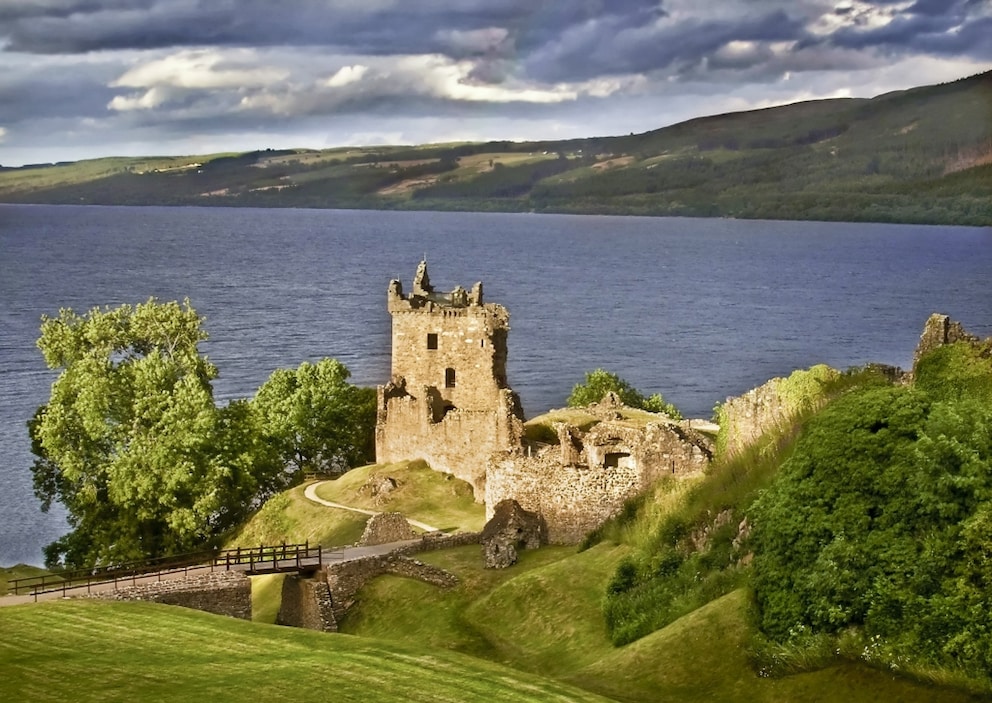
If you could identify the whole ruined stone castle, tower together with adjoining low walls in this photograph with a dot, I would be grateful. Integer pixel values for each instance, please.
(448, 403)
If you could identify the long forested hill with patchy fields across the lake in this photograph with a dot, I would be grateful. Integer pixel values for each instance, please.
(922, 155)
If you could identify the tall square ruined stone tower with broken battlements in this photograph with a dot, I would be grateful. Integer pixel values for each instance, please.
(448, 401)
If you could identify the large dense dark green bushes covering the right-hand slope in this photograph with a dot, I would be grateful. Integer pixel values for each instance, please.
(881, 519)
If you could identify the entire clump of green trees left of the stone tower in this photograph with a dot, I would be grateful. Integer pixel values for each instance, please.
(133, 445)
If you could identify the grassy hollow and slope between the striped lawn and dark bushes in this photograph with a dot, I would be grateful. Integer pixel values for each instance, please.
(542, 617)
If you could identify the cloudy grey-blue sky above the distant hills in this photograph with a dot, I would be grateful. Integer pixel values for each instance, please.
(88, 78)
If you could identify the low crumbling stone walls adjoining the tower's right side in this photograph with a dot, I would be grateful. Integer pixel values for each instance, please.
(579, 484)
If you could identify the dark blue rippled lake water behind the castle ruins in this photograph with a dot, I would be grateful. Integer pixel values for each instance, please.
(695, 309)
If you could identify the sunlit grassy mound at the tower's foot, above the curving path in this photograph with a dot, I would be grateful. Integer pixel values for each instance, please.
(422, 494)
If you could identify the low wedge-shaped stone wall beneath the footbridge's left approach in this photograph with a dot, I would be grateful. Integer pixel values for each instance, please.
(219, 592)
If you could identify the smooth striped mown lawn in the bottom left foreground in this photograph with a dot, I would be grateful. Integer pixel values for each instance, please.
(98, 651)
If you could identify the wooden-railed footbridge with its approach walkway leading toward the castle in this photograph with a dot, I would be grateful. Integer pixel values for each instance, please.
(253, 561)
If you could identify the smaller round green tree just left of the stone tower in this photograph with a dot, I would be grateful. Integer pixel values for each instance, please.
(315, 420)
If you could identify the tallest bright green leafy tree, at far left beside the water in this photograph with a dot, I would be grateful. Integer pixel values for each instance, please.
(123, 441)
